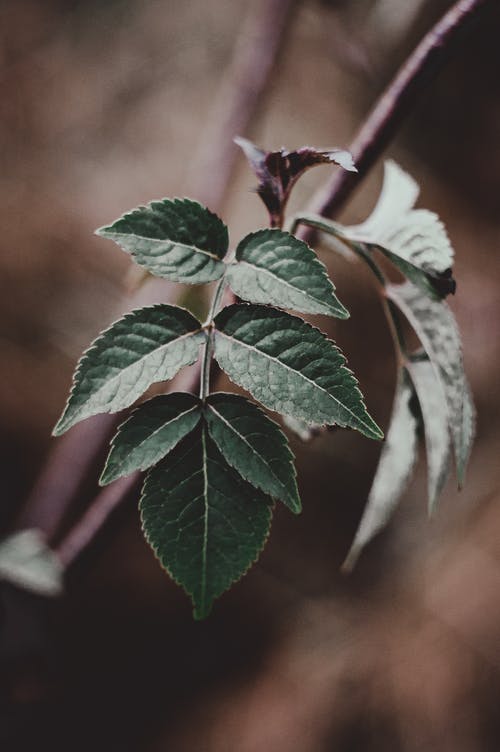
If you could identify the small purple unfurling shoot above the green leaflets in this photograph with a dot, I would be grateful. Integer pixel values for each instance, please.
(277, 171)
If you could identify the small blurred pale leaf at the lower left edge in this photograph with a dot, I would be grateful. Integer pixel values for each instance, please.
(28, 562)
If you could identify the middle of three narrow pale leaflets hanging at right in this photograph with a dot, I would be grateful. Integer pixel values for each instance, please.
(437, 435)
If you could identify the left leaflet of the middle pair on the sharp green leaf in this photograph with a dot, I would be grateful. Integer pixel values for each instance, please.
(145, 346)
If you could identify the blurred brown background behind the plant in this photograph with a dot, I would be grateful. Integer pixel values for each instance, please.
(107, 104)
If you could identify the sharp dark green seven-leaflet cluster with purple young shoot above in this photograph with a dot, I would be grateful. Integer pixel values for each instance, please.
(216, 463)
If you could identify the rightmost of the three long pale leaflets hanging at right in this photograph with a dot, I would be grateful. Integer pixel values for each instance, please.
(436, 328)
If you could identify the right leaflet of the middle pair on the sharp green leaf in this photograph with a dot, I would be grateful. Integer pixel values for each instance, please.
(290, 367)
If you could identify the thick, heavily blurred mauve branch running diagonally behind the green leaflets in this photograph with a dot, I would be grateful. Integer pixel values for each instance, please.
(74, 456)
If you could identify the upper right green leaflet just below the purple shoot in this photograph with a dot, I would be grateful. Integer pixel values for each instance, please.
(275, 267)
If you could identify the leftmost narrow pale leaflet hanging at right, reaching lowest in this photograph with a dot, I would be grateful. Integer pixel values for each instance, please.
(394, 470)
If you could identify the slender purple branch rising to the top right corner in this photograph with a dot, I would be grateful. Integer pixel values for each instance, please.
(394, 104)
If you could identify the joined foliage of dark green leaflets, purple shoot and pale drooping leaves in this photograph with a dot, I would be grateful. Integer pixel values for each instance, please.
(216, 463)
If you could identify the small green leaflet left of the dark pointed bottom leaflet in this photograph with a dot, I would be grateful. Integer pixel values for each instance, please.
(150, 433)
